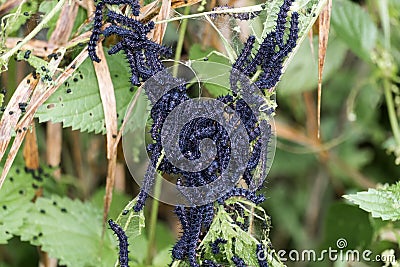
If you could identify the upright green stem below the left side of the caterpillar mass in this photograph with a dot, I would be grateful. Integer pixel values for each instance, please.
(154, 214)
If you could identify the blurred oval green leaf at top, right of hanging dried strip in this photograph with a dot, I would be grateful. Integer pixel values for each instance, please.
(355, 27)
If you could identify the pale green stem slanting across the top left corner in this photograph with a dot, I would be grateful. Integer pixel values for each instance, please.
(4, 58)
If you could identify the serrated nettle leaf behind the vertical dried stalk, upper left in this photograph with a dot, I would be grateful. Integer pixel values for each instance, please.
(77, 103)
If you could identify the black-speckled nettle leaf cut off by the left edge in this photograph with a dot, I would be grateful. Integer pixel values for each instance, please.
(15, 200)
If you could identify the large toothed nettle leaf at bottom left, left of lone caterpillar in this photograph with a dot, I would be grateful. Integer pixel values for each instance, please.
(70, 231)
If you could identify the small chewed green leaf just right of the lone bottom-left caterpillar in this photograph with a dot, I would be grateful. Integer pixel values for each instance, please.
(133, 223)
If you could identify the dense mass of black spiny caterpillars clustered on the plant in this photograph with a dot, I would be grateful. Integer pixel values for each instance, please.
(144, 58)
